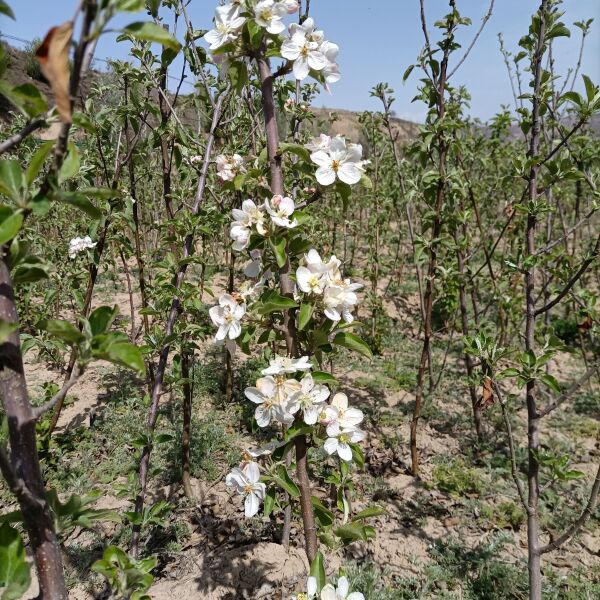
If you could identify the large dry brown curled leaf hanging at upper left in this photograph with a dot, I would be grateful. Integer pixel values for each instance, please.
(53, 56)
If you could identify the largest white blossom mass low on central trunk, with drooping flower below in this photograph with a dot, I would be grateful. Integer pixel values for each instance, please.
(281, 399)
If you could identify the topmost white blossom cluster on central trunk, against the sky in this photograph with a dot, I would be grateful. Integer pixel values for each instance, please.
(304, 47)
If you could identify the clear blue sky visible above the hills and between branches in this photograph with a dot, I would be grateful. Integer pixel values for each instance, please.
(378, 39)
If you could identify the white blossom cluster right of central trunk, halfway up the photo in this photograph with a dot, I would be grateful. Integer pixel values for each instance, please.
(324, 282)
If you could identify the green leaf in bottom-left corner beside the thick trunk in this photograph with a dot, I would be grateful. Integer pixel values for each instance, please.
(14, 570)
